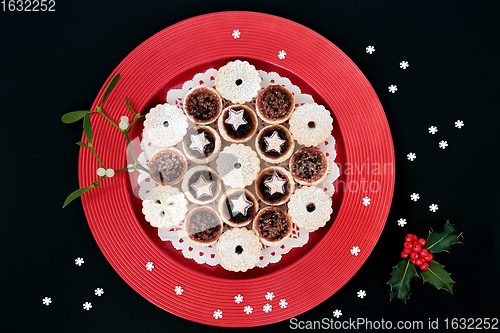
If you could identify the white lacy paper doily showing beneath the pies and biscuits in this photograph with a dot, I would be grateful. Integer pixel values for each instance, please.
(142, 183)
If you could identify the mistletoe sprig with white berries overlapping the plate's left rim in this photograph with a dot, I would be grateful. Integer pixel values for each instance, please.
(124, 126)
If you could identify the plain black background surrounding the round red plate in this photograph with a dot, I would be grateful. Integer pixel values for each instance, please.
(53, 63)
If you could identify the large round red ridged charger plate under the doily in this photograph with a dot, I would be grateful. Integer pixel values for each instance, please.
(305, 276)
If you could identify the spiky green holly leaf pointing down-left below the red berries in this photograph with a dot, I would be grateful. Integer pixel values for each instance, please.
(401, 277)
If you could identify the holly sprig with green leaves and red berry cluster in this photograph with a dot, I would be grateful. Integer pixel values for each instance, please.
(421, 253)
